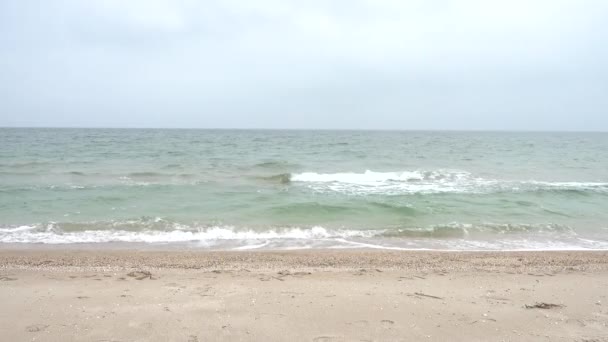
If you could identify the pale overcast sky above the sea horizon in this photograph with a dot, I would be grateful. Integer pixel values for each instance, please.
(316, 64)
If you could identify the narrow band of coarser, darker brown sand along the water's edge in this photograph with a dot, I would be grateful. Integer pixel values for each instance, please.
(55, 257)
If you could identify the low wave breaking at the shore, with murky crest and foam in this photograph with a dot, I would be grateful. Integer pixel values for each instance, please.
(454, 236)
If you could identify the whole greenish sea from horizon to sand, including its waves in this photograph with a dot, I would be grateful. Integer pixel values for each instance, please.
(231, 189)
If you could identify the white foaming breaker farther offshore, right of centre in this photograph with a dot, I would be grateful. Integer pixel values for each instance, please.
(437, 181)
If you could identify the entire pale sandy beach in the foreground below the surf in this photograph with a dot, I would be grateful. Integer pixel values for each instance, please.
(50, 294)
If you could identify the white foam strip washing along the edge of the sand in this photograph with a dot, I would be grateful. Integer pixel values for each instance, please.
(224, 237)
